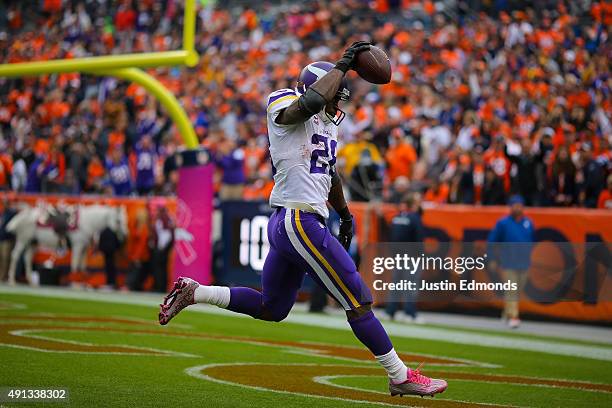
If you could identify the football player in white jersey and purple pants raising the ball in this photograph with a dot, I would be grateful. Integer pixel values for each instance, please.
(303, 130)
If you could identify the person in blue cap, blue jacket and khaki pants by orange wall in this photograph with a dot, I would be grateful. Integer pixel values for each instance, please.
(510, 245)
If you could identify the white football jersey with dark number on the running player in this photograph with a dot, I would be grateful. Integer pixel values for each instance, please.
(303, 156)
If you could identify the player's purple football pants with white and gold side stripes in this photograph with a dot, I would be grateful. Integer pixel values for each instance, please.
(300, 243)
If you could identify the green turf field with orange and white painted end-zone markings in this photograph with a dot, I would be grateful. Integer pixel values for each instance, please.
(109, 353)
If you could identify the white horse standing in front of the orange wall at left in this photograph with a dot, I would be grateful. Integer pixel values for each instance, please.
(91, 221)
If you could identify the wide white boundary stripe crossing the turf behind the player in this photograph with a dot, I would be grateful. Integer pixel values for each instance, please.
(456, 336)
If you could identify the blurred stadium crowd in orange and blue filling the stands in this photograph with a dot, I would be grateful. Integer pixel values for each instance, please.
(487, 99)
